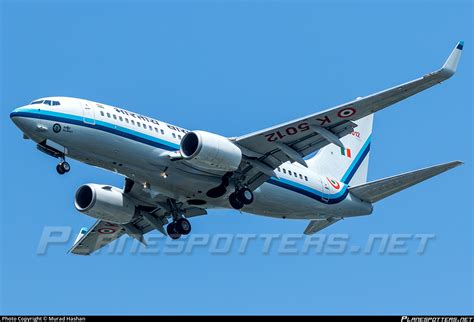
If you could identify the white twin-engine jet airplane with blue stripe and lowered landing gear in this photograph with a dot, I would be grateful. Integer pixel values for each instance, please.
(312, 168)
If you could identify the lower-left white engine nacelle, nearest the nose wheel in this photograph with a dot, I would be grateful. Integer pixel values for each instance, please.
(104, 202)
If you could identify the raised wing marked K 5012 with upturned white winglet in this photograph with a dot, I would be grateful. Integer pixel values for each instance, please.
(292, 141)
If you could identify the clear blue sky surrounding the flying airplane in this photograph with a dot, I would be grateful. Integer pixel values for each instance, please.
(233, 67)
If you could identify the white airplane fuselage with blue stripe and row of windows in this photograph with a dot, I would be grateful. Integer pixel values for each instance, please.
(138, 147)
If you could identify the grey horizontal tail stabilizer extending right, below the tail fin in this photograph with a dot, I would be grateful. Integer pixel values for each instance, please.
(380, 189)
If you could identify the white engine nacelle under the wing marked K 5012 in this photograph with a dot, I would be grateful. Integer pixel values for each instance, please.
(210, 151)
